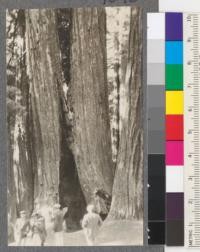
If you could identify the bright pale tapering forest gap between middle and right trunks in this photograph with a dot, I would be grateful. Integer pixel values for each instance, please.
(118, 23)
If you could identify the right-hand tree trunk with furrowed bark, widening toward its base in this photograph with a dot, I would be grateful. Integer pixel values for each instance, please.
(127, 196)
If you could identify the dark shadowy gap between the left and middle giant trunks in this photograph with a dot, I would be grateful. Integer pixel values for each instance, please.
(70, 193)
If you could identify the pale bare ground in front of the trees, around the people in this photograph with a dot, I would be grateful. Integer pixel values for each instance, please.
(117, 233)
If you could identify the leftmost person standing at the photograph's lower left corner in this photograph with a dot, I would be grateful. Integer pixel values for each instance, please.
(22, 228)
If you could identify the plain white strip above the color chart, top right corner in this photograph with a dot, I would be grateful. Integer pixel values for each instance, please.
(179, 5)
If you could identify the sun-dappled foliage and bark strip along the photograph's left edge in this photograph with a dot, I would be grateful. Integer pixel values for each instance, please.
(20, 178)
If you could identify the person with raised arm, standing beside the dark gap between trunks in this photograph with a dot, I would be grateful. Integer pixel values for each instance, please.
(58, 225)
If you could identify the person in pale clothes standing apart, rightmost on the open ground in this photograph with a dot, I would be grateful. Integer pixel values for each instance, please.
(91, 223)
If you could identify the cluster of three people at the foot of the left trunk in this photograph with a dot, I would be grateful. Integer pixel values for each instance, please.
(33, 231)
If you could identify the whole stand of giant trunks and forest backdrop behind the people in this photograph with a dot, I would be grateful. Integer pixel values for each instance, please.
(74, 109)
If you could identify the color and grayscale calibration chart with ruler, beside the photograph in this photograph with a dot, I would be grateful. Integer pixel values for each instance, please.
(173, 107)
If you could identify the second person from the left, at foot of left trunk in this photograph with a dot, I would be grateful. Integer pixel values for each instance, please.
(38, 228)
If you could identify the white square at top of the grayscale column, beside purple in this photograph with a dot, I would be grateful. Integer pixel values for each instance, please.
(156, 26)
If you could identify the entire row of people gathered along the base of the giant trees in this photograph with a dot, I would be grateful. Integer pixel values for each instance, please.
(33, 230)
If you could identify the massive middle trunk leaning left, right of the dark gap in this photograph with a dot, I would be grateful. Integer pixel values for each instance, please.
(89, 101)
